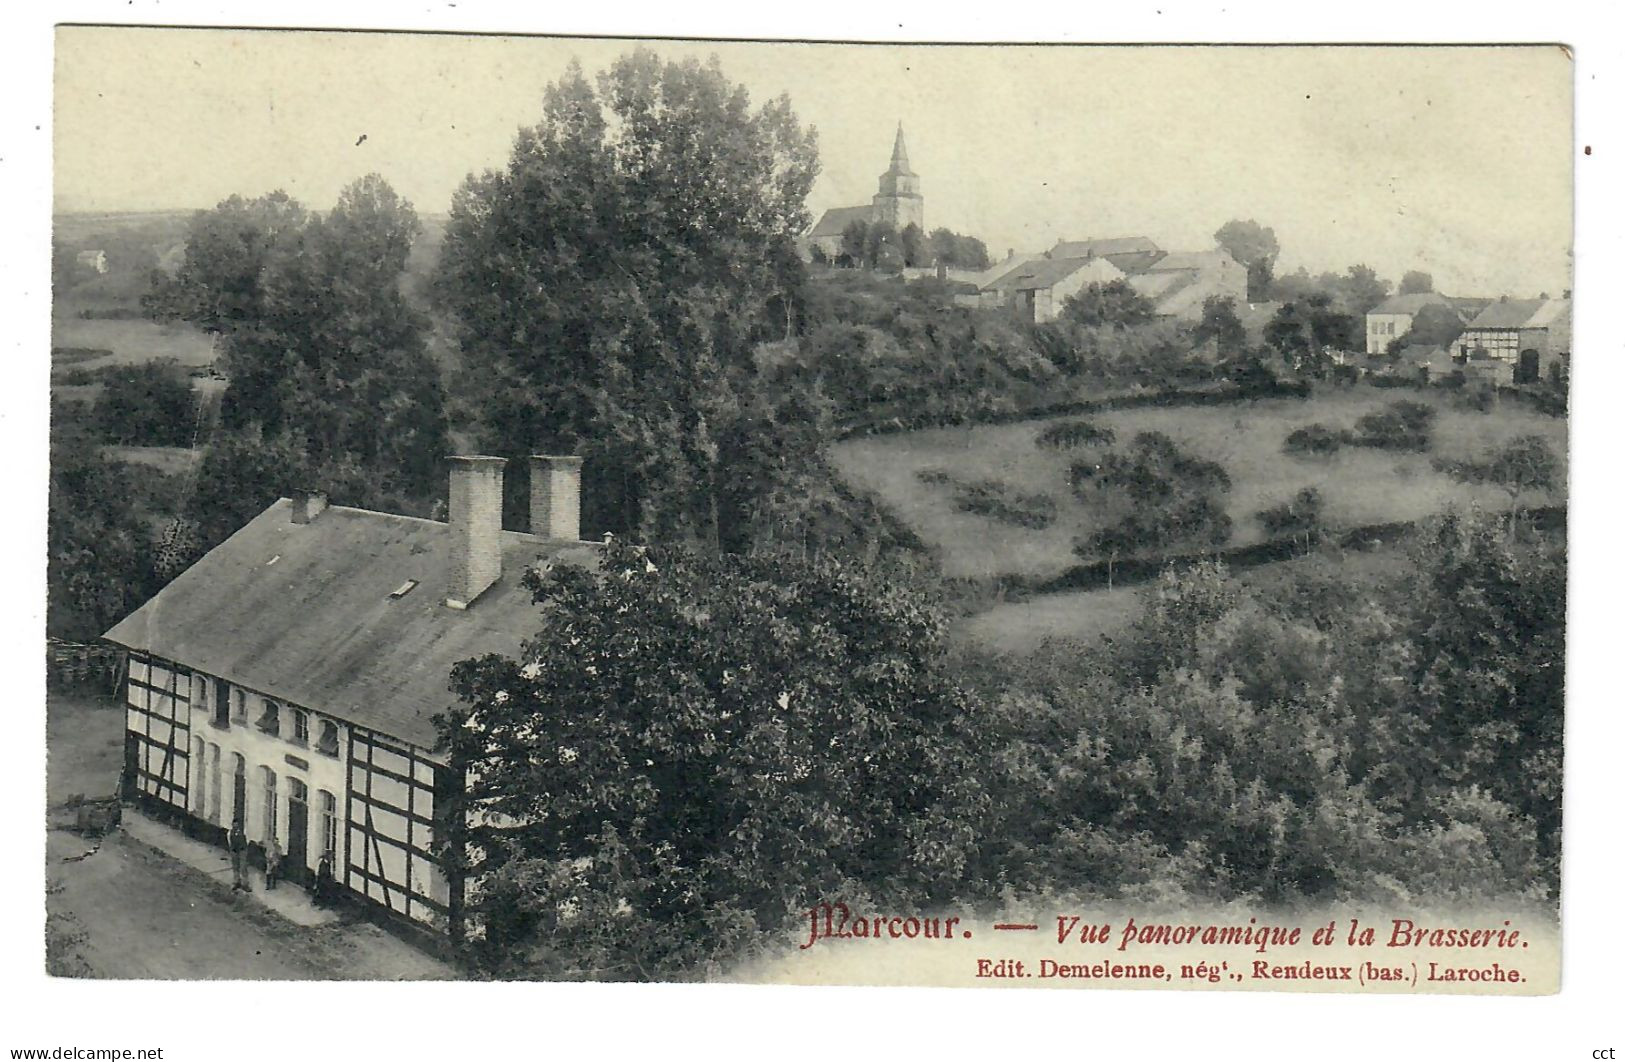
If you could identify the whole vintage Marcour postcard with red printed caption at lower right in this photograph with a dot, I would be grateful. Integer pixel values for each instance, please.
(1034, 517)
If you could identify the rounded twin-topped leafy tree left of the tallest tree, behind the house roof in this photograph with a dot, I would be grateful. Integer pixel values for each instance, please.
(319, 342)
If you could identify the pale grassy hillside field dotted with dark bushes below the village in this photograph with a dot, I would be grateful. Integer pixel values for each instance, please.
(1361, 486)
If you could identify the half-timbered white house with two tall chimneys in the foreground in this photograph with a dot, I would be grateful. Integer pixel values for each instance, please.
(288, 680)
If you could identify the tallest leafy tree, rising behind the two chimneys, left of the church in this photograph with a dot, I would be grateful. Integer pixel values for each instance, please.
(612, 283)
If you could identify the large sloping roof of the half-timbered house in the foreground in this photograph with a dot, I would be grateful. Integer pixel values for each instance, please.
(303, 615)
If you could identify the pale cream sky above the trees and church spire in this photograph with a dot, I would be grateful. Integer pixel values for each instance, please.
(1449, 160)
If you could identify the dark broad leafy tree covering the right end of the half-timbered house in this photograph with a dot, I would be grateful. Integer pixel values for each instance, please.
(698, 748)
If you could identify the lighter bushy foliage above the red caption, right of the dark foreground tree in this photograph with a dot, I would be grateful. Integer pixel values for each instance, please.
(1393, 741)
